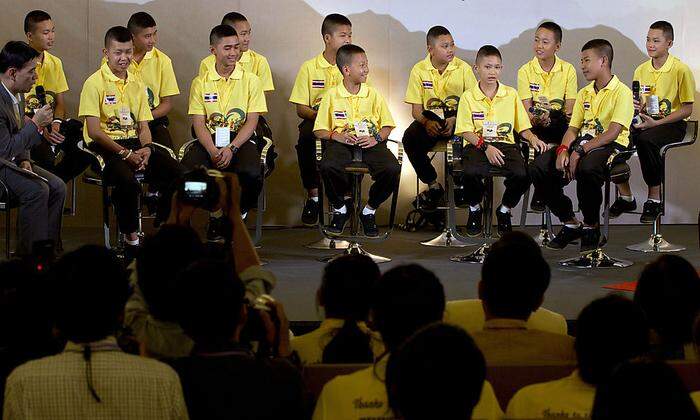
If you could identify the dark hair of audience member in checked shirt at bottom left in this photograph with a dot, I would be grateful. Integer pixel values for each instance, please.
(91, 289)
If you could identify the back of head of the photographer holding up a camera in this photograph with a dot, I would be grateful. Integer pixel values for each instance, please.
(162, 257)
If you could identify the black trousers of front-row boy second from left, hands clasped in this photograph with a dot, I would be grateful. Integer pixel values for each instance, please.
(245, 163)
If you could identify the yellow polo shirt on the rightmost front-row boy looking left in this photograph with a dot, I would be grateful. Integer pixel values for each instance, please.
(593, 112)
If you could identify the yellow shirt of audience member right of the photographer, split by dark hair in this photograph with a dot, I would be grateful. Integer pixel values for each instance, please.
(310, 346)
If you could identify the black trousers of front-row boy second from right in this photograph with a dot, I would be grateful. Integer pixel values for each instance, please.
(476, 166)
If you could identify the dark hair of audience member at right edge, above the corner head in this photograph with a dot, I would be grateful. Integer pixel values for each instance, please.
(668, 292)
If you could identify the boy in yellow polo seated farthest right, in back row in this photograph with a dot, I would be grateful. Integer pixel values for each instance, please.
(667, 93)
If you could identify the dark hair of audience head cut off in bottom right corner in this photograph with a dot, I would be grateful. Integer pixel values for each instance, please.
(643, 389)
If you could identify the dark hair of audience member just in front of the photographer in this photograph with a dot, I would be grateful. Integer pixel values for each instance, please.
(210, 295)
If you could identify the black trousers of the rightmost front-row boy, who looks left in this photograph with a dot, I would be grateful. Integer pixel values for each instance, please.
(590, 176)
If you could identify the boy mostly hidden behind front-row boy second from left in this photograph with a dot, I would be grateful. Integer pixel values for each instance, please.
(249, 60)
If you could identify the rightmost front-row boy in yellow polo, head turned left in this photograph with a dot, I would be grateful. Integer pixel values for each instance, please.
(599, 125)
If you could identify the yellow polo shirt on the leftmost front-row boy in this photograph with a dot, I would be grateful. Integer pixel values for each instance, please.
(104, 95)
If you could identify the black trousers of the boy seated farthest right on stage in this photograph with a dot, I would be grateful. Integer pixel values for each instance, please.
(649, 143)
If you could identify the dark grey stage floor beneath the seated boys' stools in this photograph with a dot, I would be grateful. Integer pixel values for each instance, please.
(299, 272)
